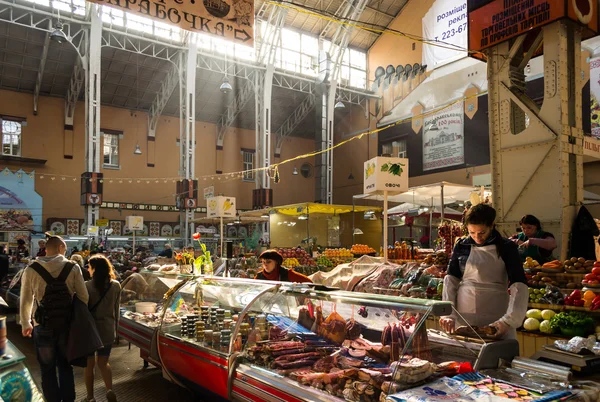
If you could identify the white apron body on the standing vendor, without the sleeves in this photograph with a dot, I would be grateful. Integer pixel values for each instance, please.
(482, 297)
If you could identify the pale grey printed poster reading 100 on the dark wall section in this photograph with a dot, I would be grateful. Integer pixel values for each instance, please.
(443, 138)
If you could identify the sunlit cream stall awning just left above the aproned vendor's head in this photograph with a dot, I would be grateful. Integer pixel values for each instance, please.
(429, 195)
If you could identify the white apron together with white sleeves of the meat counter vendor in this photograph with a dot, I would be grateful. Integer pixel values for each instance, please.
(482, 297)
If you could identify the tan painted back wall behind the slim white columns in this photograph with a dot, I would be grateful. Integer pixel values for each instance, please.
(43, 138)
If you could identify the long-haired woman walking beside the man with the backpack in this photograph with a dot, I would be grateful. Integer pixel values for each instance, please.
(105, 297)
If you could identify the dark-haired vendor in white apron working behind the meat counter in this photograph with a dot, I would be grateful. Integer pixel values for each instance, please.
(485, 280)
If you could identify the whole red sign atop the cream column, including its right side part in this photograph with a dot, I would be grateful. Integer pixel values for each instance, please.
(494, 22)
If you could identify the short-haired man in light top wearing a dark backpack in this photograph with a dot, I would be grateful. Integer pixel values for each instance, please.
(47, 289)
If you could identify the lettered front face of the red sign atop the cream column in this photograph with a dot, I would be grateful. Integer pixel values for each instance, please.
(503, 19)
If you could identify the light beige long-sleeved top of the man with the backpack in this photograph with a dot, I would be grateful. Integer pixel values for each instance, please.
(34, 286)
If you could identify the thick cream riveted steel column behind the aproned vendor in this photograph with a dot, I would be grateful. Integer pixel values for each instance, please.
(531, 164)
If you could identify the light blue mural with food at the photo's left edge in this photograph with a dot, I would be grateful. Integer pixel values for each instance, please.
(20, 205)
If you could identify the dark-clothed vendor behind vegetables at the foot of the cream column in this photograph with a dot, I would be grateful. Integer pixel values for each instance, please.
(533, 241)
